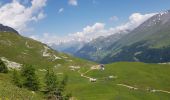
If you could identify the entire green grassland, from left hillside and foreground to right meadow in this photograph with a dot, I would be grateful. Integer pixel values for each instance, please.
(138, 75)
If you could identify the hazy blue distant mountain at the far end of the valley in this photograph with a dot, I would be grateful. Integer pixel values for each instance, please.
(97, 48)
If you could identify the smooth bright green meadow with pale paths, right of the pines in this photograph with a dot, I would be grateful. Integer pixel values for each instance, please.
(139, 75)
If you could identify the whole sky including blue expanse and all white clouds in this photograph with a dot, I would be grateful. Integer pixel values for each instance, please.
(54, 21)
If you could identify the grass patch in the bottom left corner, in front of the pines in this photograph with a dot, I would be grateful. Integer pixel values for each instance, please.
(9, 91)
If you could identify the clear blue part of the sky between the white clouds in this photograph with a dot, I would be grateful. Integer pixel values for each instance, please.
(88, 12)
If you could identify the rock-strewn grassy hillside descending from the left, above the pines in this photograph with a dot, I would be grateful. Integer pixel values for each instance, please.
(24, 50)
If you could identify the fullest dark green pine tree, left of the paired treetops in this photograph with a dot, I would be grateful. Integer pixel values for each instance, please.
(31, 81)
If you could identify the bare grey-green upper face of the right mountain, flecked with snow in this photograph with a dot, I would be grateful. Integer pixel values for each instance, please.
(155, 29)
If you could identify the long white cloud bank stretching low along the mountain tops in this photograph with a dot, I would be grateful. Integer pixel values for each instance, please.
(98, 29)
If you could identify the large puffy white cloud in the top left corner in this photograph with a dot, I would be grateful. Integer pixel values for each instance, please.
(18, 16)
